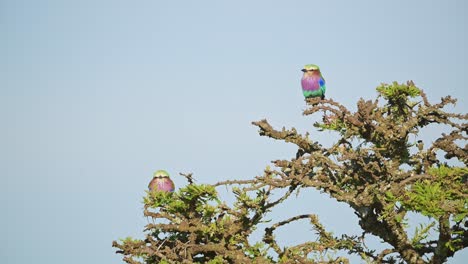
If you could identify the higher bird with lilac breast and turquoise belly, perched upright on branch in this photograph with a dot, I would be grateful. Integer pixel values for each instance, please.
(313, 84)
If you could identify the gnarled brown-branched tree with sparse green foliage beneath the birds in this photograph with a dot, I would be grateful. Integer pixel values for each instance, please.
(377, 167)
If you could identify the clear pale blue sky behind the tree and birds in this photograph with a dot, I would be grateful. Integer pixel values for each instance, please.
(97, 95)
